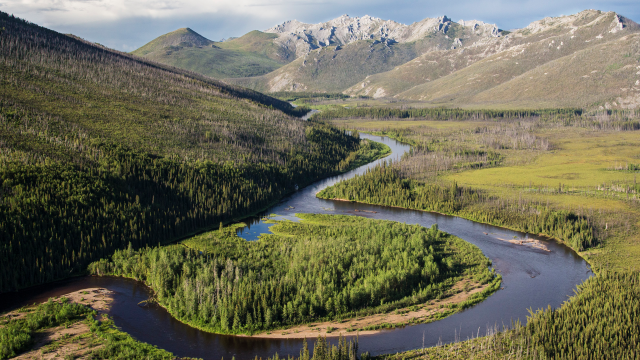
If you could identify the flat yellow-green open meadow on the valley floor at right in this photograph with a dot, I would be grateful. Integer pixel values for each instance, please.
(583, 163)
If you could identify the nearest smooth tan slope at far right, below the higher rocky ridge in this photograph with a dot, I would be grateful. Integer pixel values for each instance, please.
(584, 79)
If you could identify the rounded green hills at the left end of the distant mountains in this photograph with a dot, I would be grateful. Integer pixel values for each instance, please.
(250, 55)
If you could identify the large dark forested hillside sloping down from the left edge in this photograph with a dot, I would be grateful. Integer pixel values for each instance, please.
(99, 149)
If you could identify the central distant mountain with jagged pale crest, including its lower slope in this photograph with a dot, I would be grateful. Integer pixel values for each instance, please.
(335, 55)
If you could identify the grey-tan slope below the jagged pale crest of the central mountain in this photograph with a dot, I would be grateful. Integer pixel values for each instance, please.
(338, 67)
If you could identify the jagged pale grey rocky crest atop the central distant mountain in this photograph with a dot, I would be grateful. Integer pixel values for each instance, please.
(302, 38)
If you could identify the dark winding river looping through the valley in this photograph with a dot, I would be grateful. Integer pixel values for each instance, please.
(532, 279)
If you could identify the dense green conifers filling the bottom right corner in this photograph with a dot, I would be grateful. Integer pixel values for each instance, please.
(602, 321)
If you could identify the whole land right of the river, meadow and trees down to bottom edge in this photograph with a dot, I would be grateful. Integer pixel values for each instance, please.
(580, 177)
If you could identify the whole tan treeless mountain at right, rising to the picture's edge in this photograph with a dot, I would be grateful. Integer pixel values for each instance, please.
(511, 70)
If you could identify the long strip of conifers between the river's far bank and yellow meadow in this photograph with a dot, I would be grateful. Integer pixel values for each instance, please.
(384, 185)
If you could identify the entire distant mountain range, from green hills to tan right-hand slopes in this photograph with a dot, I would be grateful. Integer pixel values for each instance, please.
(438, 61)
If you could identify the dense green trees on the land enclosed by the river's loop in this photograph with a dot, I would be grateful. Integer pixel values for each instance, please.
(325, 267)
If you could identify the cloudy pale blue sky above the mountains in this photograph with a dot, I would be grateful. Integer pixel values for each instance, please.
(128, 24)
